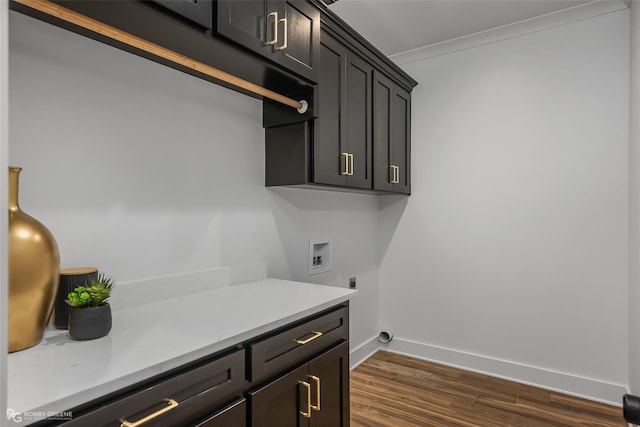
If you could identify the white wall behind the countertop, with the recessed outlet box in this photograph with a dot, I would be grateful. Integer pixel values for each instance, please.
(144, 171)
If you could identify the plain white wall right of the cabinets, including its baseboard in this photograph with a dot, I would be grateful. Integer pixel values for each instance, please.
(511, 254)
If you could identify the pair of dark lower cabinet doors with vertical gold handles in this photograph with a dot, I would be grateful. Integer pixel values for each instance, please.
(315, 394)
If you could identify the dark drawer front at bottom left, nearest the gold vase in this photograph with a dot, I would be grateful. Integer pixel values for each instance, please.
(176, 401)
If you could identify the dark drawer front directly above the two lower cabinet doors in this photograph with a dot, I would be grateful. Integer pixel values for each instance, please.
(292, 346)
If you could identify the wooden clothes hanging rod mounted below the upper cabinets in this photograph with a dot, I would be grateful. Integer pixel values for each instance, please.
(75, 18)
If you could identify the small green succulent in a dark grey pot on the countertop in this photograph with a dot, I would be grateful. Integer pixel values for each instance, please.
(90, 314)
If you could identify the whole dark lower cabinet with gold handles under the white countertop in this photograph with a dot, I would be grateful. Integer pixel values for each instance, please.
(296, 375)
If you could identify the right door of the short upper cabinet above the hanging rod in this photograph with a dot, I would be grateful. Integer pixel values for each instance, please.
(303, 38)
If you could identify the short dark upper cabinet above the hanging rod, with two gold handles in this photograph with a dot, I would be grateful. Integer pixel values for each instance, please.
(285, 31)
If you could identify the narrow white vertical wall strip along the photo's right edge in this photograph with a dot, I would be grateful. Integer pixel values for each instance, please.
(634, 202)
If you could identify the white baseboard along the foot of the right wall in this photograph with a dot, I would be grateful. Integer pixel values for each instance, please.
(587, 388)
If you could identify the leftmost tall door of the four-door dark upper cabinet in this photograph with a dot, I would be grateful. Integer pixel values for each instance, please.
(327, 162)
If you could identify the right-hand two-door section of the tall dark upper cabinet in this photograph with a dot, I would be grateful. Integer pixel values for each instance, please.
(391, 136)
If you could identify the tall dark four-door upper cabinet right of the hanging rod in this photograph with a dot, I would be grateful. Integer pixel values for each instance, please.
(361, 138)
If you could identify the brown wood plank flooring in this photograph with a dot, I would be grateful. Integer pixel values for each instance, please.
(391, 390)
